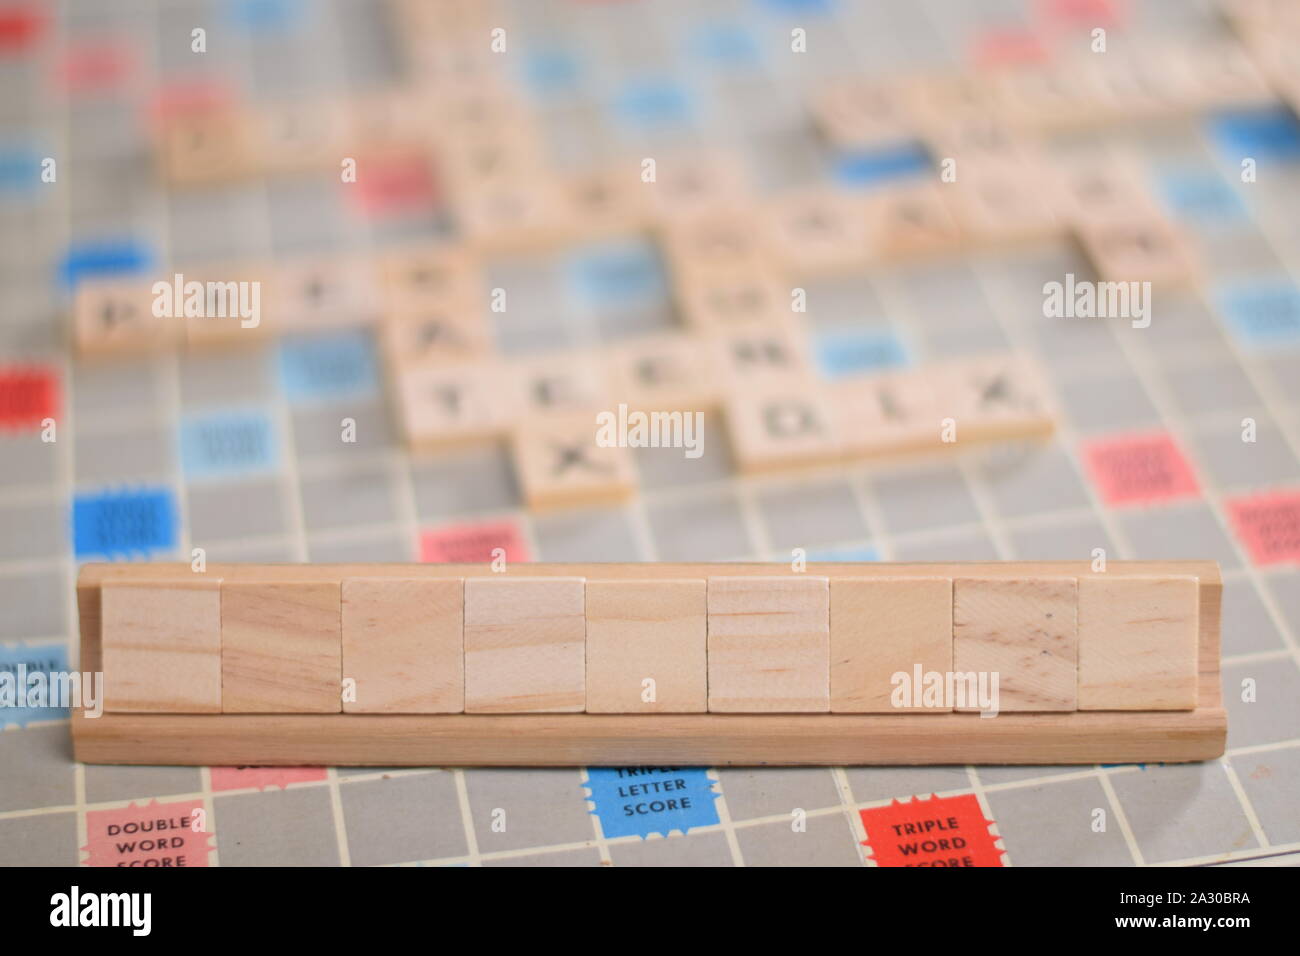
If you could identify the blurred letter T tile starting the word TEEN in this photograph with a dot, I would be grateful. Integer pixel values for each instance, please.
(453, 405)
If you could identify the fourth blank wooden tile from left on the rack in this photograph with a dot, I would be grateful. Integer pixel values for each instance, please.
(526, 646)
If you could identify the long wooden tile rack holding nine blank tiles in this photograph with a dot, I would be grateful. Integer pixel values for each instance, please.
(457, 665)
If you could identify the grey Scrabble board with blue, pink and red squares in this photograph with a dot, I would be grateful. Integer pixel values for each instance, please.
(1178, 440)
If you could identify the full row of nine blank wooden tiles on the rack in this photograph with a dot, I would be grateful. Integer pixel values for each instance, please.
(729, 644)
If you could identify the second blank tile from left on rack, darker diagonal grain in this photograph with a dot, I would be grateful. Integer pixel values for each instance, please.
(281, 648)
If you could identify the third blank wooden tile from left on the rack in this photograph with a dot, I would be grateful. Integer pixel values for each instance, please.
(404, 644)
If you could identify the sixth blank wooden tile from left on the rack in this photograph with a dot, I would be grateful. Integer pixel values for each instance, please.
(769, 644)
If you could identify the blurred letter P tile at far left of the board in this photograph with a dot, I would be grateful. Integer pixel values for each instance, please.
(118, 318)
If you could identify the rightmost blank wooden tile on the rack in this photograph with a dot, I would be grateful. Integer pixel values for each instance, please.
(1138, 643)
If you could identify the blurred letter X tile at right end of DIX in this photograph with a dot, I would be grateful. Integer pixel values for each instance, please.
(994, 399)
